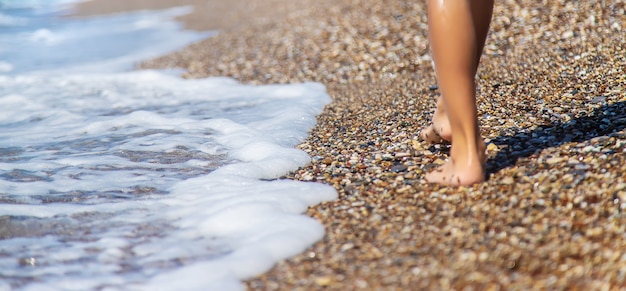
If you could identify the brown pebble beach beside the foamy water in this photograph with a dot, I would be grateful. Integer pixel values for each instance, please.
(552, 107)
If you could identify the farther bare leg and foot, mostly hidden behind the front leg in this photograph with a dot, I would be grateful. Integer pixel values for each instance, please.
(439, 130)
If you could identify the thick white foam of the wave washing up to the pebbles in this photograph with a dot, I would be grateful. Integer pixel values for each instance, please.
(249, 222)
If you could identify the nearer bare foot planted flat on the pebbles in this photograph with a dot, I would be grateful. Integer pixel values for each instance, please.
(465, 171)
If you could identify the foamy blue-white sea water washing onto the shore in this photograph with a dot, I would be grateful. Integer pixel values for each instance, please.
(117, 179)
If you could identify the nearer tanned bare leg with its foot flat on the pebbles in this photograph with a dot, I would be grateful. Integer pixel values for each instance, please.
(457, 31)
